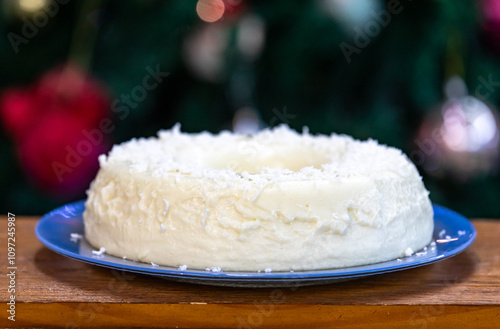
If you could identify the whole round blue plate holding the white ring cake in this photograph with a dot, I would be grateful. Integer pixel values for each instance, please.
(452, 234)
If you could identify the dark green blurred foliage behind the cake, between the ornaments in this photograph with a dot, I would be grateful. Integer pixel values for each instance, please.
(383, 93)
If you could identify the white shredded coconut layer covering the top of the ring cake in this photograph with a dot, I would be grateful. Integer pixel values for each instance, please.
(333, 157)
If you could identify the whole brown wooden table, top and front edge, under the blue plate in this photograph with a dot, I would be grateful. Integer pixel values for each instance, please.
(55, 291)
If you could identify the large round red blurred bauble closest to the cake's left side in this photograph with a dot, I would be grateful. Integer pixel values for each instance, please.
(59, 156)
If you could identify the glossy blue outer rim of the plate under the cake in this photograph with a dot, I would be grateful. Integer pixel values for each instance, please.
(249, 276)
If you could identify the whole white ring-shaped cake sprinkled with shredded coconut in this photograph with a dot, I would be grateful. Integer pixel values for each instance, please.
(277, 200)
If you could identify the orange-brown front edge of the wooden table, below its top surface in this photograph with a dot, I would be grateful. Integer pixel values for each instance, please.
(74, 315)
